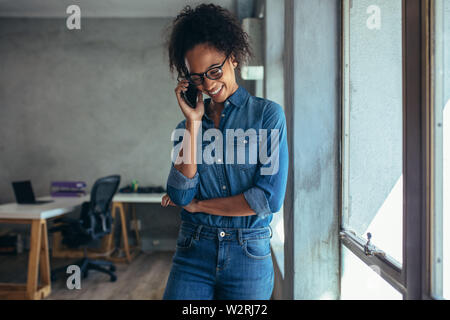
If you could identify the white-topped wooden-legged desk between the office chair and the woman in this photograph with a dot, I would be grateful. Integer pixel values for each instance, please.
(119, 200)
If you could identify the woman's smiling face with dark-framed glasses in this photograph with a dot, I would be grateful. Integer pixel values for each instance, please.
(203, 57)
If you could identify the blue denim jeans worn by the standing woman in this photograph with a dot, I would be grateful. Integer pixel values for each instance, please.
(221, 263)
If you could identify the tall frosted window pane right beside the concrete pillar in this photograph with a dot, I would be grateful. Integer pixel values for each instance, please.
(372, 160)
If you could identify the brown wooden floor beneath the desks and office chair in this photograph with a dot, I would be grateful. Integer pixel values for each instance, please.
(144, 278)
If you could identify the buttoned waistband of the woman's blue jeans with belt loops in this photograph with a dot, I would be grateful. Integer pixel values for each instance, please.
(240, 234)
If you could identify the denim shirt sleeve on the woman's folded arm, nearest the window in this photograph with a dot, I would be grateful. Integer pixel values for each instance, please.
(266, 196)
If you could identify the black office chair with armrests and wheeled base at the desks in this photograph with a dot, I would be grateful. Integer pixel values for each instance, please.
(95, 222)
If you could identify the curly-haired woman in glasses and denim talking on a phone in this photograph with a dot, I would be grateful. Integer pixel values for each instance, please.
(223, 247)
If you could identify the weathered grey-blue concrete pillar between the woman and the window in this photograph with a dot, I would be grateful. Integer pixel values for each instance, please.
(312, 95)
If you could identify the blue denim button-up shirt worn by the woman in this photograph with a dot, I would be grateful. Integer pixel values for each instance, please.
(224, 178)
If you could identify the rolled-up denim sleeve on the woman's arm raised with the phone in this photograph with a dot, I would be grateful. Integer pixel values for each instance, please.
(181, 189)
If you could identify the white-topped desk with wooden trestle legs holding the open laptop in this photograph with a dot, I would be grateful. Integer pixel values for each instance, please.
(38, 258)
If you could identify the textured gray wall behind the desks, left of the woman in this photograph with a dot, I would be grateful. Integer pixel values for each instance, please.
(87, 103)
